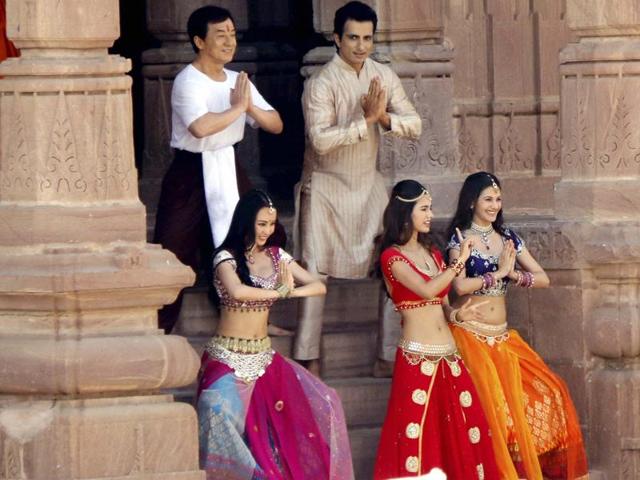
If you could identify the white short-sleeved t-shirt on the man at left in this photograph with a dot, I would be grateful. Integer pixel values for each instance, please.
(195, 94)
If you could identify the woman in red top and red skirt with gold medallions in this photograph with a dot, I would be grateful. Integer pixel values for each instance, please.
(434, 418)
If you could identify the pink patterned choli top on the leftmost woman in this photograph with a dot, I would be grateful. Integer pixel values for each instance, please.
(268, 283)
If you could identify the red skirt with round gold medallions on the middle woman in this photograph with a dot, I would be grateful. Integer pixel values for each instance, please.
(434, 420)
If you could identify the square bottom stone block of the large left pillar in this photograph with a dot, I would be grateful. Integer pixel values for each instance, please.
(141, 438)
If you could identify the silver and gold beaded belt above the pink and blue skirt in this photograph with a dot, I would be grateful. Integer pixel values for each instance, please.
(247, 358)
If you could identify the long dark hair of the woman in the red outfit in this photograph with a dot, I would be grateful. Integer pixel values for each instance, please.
(397, 226)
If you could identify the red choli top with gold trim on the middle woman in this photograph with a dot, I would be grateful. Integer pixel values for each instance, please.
(403, 297)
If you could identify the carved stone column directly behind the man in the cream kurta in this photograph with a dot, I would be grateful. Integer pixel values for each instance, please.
(409, 39)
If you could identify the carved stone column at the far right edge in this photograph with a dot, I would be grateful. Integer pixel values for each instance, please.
(598, 200)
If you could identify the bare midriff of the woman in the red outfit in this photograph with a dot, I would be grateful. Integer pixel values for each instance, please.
(426, 325)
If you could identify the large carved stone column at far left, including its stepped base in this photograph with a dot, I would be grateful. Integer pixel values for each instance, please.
(82, 362)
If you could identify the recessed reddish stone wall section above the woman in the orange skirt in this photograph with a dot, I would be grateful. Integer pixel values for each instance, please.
(506, 94)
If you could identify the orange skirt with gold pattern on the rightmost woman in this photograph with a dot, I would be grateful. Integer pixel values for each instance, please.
(534, 425)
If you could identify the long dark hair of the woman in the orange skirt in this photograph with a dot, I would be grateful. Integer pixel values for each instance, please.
(473, 186)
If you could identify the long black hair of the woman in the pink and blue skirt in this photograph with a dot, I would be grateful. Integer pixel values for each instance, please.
(242, 232)
